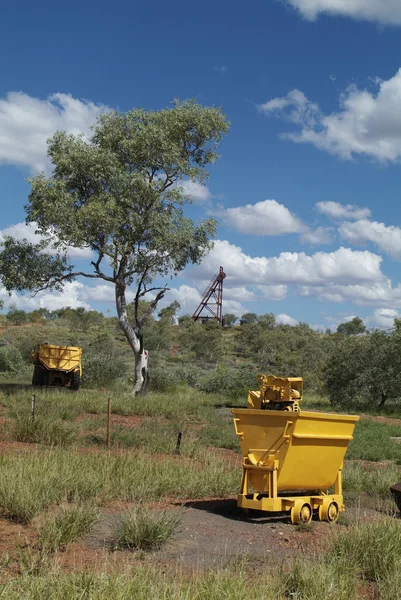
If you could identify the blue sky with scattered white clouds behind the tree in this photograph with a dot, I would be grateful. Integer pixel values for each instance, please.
(307, 188)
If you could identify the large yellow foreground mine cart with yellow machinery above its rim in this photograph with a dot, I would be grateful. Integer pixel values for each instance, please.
(291, 458)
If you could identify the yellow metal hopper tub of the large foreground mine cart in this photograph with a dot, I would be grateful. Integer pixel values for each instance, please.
(309, 447)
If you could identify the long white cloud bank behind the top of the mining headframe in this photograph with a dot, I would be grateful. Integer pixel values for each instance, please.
(344, 266)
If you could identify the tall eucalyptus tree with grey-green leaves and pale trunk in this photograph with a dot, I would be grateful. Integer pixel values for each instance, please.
(120, 195)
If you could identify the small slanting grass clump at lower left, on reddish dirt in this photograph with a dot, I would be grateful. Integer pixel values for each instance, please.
(68, 525)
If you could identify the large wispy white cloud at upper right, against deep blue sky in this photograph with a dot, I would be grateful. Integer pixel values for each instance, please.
(368, 122)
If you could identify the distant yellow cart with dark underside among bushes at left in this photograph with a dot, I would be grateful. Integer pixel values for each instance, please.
(57, 365)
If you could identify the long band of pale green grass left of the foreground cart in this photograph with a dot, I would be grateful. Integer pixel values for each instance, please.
(31, 483)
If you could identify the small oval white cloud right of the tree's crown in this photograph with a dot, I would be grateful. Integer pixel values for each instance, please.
(267, 217)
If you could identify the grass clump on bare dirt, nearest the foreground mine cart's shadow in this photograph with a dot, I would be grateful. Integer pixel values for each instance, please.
(143, 529)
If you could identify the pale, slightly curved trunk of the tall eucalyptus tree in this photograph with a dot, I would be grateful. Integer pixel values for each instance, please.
(135, 341)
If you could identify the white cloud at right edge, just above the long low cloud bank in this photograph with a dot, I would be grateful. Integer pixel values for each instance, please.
(386, 238)
